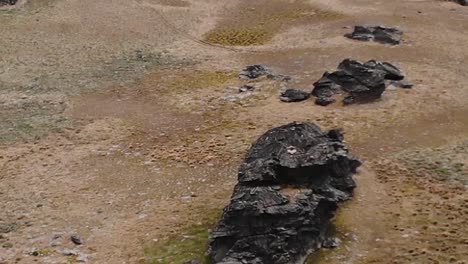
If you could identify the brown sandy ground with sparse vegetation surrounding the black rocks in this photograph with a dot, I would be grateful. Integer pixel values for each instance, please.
(116, 124)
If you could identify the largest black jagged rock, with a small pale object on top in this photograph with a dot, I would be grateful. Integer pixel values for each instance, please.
(289, 188)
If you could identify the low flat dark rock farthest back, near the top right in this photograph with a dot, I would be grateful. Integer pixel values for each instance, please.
(381, 34)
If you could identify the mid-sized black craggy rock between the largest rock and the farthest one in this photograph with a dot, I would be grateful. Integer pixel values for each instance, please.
(363, 82)
